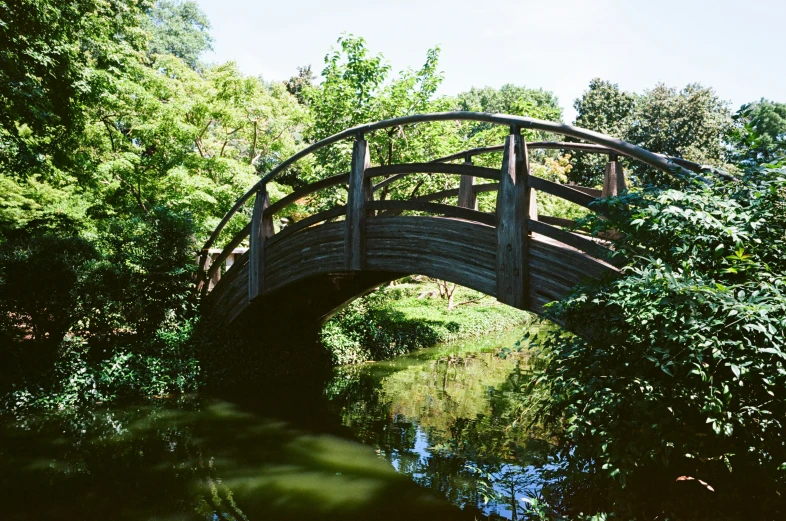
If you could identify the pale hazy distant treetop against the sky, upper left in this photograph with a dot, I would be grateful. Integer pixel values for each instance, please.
(181, 29)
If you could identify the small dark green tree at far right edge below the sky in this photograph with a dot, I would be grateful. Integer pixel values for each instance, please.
(760, 136)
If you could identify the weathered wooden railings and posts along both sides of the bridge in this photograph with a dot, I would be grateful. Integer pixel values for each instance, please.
(515, 216)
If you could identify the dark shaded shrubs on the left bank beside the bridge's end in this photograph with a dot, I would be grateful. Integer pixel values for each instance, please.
(109, 316)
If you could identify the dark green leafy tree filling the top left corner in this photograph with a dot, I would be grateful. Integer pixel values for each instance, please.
(55, 60)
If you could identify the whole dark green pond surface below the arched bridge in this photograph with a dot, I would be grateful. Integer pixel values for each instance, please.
(424, 437)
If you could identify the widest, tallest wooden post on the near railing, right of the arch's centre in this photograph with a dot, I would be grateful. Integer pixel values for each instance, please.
(512, 226)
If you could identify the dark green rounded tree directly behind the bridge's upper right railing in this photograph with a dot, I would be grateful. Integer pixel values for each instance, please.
(604, 108)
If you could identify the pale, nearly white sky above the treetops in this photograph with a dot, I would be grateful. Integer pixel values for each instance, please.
(736, 47)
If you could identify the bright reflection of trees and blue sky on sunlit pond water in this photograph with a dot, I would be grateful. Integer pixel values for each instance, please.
(465, 411)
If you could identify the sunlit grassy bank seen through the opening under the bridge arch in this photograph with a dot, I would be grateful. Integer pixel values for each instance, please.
(410, 315)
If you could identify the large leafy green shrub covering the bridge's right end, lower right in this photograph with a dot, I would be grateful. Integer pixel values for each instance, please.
(673, 383)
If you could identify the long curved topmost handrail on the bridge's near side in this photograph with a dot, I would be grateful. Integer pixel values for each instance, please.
(618, 146)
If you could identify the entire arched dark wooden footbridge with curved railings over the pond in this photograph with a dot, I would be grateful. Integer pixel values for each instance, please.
(311, 267)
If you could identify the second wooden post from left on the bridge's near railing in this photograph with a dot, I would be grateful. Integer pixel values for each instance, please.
(360, 191)
